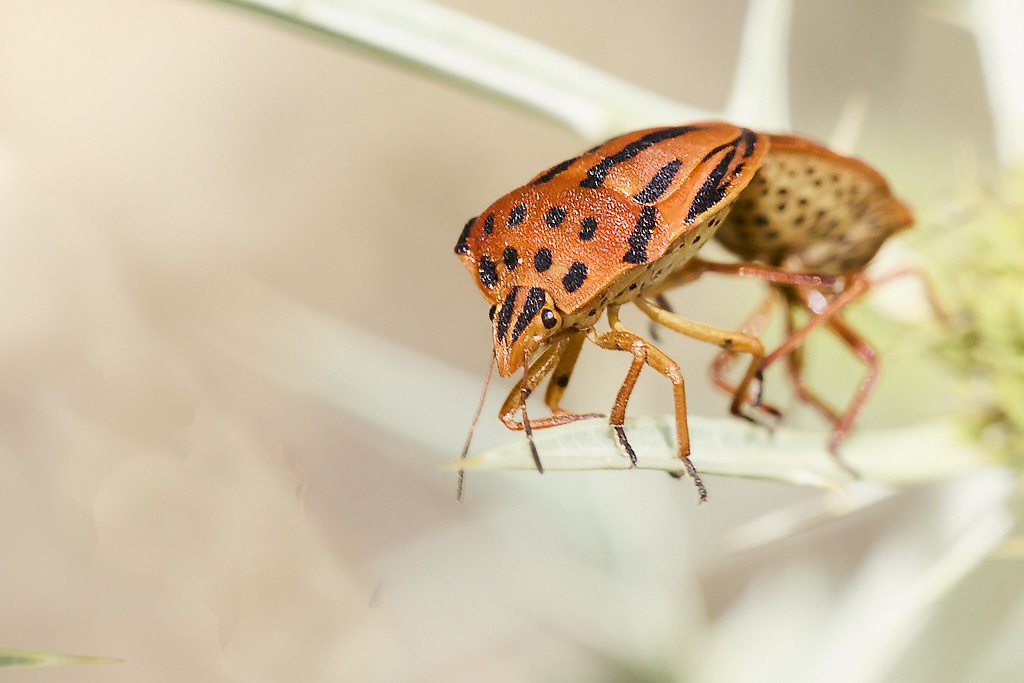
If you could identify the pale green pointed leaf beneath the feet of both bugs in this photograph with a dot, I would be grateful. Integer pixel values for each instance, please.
(919, 454)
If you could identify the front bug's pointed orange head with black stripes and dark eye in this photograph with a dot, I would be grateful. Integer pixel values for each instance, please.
(524, 321)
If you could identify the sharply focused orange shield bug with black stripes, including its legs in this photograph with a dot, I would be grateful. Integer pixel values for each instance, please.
(596, 232)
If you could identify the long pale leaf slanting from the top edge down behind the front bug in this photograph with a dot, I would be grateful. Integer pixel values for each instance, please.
(482, 57)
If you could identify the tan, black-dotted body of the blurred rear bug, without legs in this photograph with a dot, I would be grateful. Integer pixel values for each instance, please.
(809, 208)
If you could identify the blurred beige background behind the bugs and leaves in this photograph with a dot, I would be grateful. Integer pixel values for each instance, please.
(175, 174)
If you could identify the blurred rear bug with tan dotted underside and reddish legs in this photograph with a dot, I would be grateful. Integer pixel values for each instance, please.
(809, 209)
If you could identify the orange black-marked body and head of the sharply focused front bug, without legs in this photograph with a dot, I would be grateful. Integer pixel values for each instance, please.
(599, 230)
